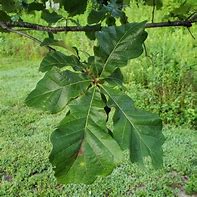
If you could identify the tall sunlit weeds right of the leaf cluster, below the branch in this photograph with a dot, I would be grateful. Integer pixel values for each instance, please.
(165, 81)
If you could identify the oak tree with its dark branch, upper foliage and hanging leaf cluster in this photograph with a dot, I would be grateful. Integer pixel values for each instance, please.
(91, 92)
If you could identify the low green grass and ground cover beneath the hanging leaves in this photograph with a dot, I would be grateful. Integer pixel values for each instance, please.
(24, 149)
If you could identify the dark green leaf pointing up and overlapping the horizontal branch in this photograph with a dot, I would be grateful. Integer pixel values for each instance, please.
(117, 45)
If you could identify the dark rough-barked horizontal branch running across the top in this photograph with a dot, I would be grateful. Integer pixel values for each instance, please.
(92, 28)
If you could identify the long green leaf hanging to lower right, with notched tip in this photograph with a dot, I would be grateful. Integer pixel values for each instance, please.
(135, 129)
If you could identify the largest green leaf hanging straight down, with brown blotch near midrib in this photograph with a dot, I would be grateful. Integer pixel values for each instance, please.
(82, 147)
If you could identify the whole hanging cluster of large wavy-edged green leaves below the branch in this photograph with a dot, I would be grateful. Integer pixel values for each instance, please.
(98, 74)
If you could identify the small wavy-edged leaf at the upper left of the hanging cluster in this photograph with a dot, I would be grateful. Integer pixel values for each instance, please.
(58, 59)
